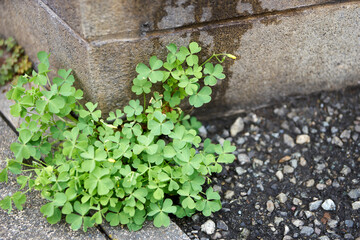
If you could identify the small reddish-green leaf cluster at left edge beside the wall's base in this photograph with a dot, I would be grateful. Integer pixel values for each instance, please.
(13, 61)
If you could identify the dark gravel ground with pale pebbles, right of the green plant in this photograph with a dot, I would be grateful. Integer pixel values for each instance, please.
(297, 172)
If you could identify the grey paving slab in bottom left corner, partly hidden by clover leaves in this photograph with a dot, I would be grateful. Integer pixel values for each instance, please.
(29, 223)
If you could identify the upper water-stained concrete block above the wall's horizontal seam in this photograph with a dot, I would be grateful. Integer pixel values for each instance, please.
(128, 19)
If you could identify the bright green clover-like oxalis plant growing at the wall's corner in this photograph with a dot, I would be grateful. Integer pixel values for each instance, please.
(143, 162)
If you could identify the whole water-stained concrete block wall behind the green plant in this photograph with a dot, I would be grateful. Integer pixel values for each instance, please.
(283, 47)
